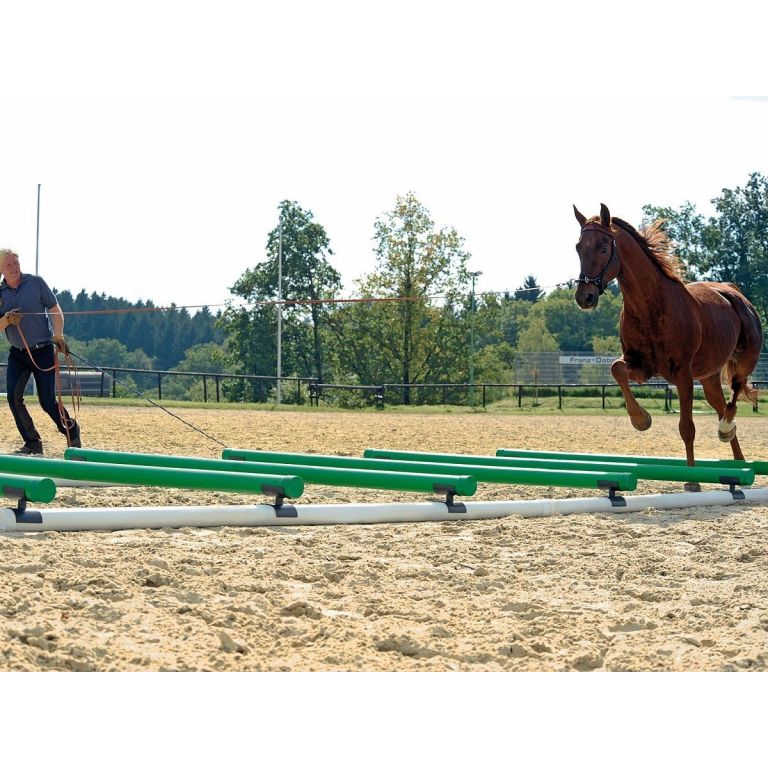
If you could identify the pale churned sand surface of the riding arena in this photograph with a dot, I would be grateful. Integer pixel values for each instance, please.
(657, 590)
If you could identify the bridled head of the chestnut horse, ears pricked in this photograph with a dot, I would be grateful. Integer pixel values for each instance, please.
(597, 255)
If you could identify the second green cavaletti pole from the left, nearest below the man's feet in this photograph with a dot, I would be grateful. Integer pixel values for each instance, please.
(292, 486)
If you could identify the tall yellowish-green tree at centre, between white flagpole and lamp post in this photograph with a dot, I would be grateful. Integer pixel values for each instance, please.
(404, 334)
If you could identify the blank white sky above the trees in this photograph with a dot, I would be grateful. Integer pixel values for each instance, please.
(164, 134)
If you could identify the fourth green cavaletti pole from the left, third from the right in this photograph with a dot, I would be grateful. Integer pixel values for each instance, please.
(623, 481)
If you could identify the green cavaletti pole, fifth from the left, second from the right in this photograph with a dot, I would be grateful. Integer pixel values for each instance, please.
(687, 474)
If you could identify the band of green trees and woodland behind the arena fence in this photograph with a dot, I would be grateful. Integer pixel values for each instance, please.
(415, 318)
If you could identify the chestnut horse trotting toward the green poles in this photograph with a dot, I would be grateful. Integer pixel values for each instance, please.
(669, 328)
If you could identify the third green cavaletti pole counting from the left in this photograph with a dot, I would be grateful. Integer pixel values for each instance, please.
(444, 481)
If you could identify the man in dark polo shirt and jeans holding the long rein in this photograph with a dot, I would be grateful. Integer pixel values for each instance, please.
(28, 308)
